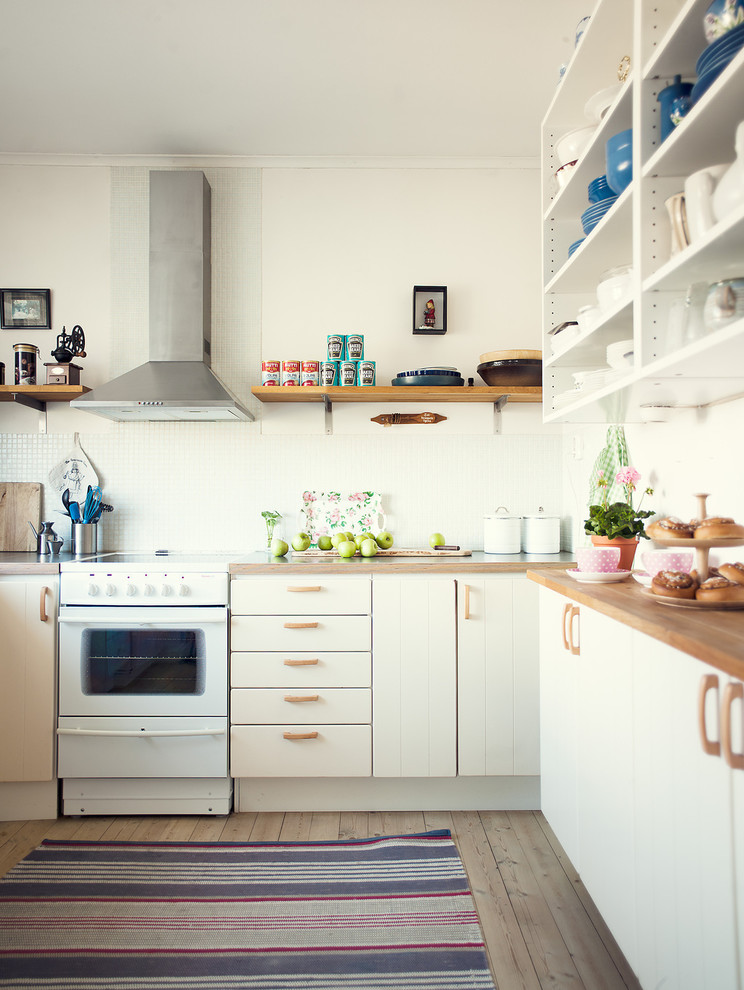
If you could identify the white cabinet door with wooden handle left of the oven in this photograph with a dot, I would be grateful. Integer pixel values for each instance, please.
(28, 619)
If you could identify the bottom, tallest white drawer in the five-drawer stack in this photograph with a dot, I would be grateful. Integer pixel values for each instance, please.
(333, 751)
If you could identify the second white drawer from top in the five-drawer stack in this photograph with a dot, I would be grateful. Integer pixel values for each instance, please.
(304, 633)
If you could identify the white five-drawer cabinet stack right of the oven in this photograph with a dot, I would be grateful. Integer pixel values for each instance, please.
(300, 676)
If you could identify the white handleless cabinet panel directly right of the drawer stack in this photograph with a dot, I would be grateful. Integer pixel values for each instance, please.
(414, 681)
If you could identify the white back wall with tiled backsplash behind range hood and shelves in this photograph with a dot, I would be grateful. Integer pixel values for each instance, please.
(333, 247)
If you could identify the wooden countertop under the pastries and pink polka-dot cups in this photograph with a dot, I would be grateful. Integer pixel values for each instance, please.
(715, 637)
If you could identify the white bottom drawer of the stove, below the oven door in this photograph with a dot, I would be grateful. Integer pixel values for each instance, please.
(135, 753)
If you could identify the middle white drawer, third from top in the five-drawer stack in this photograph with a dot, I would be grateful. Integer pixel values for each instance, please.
(301, 669)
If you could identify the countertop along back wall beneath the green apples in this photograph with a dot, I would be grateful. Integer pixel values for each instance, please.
(477, 563)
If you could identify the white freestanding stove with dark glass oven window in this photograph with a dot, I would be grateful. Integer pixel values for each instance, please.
(143, 688)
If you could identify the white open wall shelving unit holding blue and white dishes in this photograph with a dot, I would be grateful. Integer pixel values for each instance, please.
(661, 40)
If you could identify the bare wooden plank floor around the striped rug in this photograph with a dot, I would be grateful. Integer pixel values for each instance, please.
(540, 926)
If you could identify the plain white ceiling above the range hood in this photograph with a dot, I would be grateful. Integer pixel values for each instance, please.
(350, 78)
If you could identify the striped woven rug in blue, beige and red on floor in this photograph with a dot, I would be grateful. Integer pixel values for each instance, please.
(387, 913)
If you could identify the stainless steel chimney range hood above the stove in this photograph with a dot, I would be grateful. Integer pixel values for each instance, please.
(177, 382)
